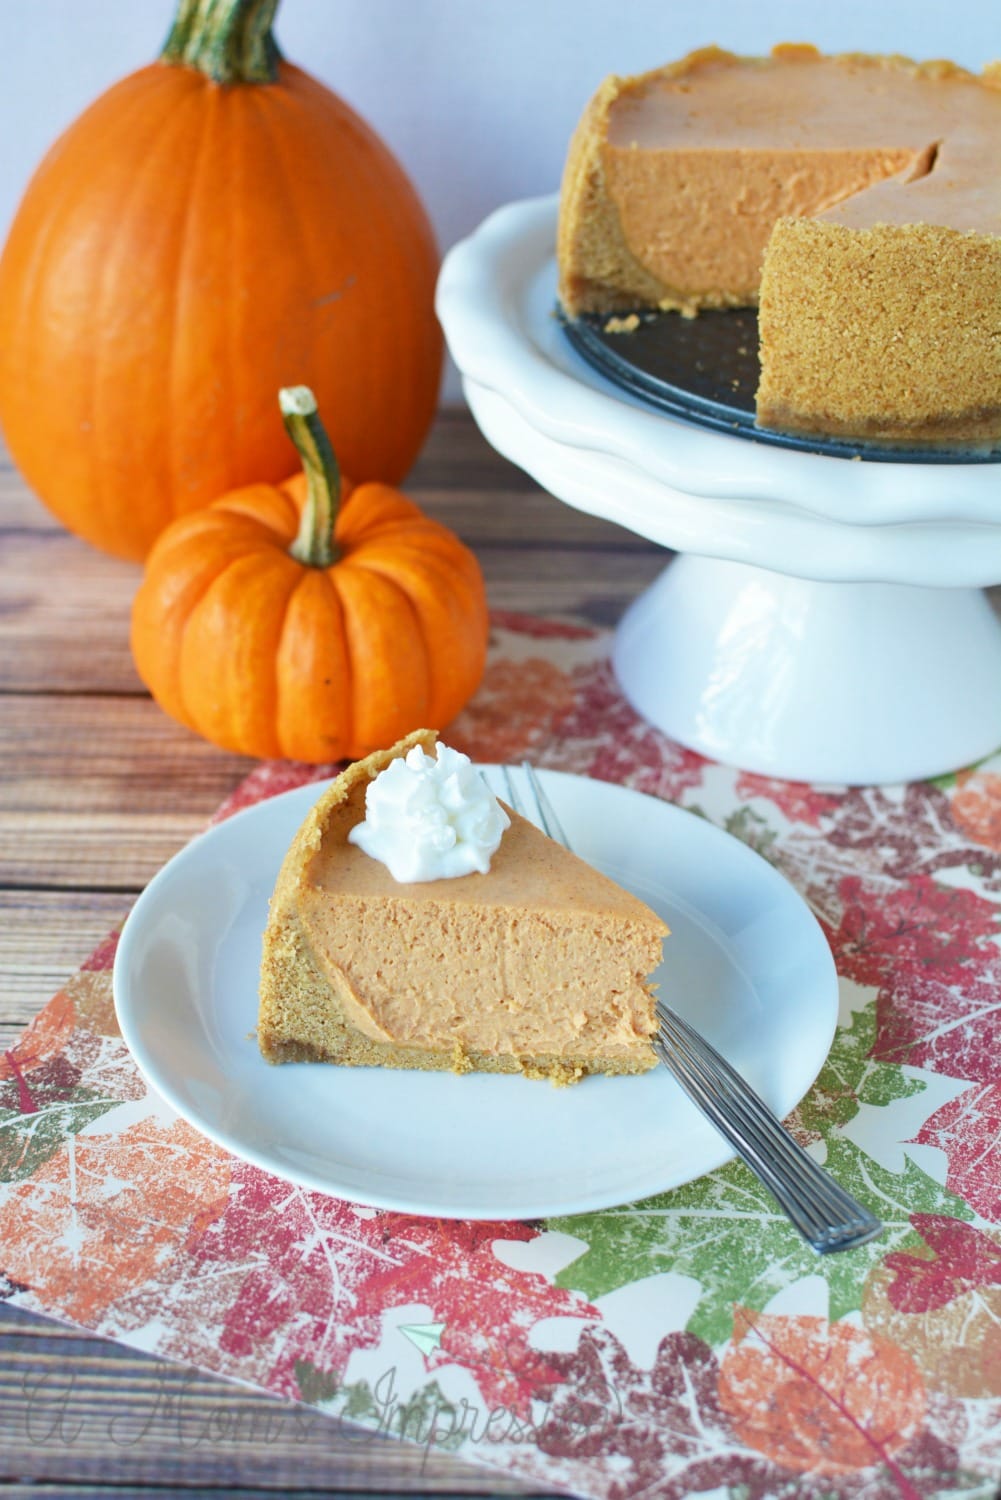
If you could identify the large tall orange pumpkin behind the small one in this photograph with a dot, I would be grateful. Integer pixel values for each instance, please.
(212, 229)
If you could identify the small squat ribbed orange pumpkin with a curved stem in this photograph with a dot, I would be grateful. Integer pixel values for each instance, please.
(281, 622)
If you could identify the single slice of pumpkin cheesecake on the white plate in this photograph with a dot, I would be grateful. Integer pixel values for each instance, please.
(538, 967)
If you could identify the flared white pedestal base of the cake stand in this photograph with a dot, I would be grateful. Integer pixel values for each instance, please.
(823, 682)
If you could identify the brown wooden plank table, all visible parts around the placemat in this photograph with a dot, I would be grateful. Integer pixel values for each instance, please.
(98, 790)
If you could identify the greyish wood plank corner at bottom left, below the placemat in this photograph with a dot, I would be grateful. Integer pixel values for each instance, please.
(71, 1402)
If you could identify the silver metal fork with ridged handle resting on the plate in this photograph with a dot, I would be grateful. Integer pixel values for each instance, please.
(820, 1210)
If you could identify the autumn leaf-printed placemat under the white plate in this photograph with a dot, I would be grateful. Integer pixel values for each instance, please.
(778, 1375)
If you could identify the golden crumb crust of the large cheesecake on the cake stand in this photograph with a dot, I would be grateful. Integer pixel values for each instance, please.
(871, 332)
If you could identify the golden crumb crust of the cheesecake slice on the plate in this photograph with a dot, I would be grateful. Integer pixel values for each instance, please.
(302, 1003)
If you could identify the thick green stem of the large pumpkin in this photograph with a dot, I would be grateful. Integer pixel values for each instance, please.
(229, 41)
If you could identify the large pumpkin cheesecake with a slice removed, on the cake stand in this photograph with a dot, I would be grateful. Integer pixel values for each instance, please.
(855, 199)
